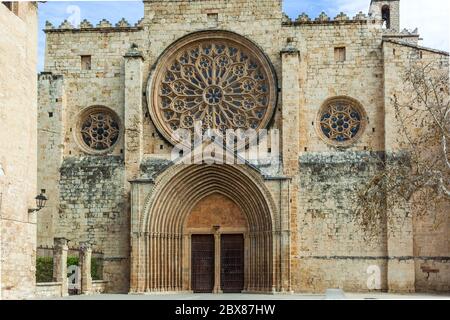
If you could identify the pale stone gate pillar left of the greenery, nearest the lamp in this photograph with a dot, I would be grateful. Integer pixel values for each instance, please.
(60, 264)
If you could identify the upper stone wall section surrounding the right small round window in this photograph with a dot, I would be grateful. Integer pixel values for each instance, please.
(322, 77)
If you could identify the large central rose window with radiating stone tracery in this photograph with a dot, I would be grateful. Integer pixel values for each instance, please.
(218, 78)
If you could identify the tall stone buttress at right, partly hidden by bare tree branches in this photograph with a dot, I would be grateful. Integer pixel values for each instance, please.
(399, 223)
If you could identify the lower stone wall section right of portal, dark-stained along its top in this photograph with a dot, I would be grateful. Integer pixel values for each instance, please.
(332, 250)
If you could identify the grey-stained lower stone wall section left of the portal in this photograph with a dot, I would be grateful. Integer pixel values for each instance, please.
(91, 210)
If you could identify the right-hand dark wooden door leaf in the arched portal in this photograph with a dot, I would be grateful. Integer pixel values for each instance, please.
(232, 263)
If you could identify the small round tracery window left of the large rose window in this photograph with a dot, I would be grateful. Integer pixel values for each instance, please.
(98, 129)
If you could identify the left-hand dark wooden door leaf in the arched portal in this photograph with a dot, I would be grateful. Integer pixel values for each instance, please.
(202, 263)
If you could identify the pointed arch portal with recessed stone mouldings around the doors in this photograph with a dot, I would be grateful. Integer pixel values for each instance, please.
(162, 229)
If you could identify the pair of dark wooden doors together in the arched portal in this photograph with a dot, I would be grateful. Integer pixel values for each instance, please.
(204, 260)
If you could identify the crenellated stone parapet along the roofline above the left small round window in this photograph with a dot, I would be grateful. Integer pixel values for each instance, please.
(102, 26)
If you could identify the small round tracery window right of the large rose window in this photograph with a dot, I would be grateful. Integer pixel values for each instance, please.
(341, 121)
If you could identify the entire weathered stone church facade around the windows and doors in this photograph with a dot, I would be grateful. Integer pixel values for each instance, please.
(140, 209)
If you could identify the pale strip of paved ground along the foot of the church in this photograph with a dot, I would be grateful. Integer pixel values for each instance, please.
(332, 296)
